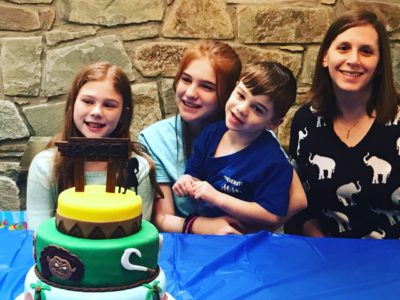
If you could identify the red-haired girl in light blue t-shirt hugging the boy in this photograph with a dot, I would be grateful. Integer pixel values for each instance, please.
(206, 77)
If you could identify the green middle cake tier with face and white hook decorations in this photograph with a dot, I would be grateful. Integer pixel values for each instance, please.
(79, 262)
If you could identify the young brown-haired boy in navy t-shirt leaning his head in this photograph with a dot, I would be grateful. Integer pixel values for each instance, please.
(237, 167)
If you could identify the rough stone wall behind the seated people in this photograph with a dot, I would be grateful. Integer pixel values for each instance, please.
(43, 43)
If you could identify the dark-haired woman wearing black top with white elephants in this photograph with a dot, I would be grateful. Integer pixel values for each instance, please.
(352, 177)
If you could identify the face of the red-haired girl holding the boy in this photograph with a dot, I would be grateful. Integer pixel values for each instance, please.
(196, 93)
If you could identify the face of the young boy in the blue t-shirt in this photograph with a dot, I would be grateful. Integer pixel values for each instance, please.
(248, 114)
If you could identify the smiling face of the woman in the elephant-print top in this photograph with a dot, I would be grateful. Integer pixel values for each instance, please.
(352, 59)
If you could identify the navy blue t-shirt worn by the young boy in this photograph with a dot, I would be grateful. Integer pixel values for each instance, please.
(258, 173)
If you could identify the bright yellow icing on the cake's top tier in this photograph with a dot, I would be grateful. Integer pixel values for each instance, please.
(96, 205)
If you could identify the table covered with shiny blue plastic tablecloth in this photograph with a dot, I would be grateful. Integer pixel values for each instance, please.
(256, 266)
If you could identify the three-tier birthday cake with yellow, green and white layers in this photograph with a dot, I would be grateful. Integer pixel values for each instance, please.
(96, 247)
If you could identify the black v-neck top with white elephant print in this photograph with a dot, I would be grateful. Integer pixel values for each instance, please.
(351, 191)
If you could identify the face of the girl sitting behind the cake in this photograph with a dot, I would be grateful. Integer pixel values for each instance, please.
(97, 109)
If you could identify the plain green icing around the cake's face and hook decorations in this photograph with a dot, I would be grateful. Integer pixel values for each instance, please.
(102, 258)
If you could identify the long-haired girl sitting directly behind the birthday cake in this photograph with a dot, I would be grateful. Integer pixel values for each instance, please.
(99, 104)
